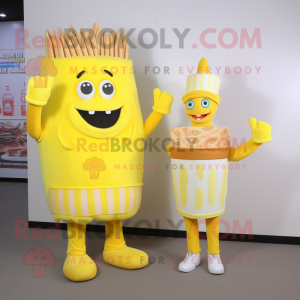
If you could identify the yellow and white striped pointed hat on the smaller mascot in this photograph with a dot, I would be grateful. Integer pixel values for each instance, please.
(202, 84)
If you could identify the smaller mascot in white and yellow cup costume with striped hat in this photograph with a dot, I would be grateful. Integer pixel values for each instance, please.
(193, 202)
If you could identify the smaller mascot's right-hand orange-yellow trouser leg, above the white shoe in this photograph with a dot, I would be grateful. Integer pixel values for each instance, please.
(212, 231)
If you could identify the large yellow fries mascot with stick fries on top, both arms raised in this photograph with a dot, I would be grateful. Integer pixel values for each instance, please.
(87, 122)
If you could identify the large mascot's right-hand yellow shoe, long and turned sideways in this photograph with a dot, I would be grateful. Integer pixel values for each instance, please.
(126, 258)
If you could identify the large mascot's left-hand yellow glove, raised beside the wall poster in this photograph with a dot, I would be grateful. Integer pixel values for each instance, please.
(39, 90)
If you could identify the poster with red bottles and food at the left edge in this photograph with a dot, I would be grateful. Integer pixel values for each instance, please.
(13, 130)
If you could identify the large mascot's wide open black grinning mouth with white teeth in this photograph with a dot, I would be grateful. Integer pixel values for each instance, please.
(100, 119)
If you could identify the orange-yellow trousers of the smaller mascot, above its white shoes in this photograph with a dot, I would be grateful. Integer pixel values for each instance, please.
(212, 232)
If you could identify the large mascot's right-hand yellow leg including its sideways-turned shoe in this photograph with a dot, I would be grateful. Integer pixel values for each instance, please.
(116, 252)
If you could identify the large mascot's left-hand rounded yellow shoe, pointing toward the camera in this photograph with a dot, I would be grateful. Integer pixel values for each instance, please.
(79, 268)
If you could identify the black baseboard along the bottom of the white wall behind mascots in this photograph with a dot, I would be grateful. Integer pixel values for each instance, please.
(255, 238)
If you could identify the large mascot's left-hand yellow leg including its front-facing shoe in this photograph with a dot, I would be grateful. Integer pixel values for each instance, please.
(78, 265)
